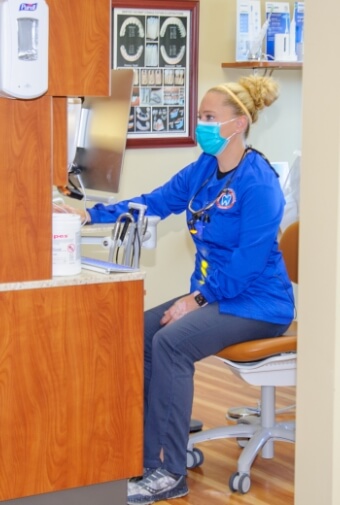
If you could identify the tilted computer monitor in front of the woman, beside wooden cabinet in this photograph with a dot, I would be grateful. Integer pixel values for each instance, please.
(101, 135)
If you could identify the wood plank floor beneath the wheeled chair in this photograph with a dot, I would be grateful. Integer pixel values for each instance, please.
(216, 390)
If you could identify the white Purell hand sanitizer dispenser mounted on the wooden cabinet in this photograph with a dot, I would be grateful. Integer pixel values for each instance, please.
(23, 49)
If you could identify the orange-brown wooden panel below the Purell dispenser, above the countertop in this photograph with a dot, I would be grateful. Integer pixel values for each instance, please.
(25, 188)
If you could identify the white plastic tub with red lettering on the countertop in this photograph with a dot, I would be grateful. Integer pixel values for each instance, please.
(66, 257)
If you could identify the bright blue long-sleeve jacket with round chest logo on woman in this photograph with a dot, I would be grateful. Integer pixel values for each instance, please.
(237, 261)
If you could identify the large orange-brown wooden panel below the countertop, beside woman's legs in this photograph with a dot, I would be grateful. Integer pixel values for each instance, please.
(71, 387)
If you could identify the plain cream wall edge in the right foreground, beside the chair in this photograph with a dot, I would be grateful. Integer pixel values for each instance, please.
(318, 387)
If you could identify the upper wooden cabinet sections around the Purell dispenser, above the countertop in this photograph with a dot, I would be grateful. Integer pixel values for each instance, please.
(33, 135)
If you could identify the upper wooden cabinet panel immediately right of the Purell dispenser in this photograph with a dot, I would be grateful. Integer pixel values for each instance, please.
(79, 47)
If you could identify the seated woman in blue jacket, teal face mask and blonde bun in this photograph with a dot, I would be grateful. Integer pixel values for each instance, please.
(239, 290)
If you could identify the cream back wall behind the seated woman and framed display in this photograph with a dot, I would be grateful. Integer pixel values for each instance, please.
(277, 134)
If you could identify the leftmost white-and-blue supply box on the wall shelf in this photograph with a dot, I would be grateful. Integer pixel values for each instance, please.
(248, 26)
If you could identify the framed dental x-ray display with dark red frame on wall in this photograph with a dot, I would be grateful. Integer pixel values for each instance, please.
(158, 39)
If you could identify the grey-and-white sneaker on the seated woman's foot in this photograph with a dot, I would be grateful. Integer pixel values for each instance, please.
(158, 485)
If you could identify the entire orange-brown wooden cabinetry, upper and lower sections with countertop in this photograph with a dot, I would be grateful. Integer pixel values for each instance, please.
(71, 362)
